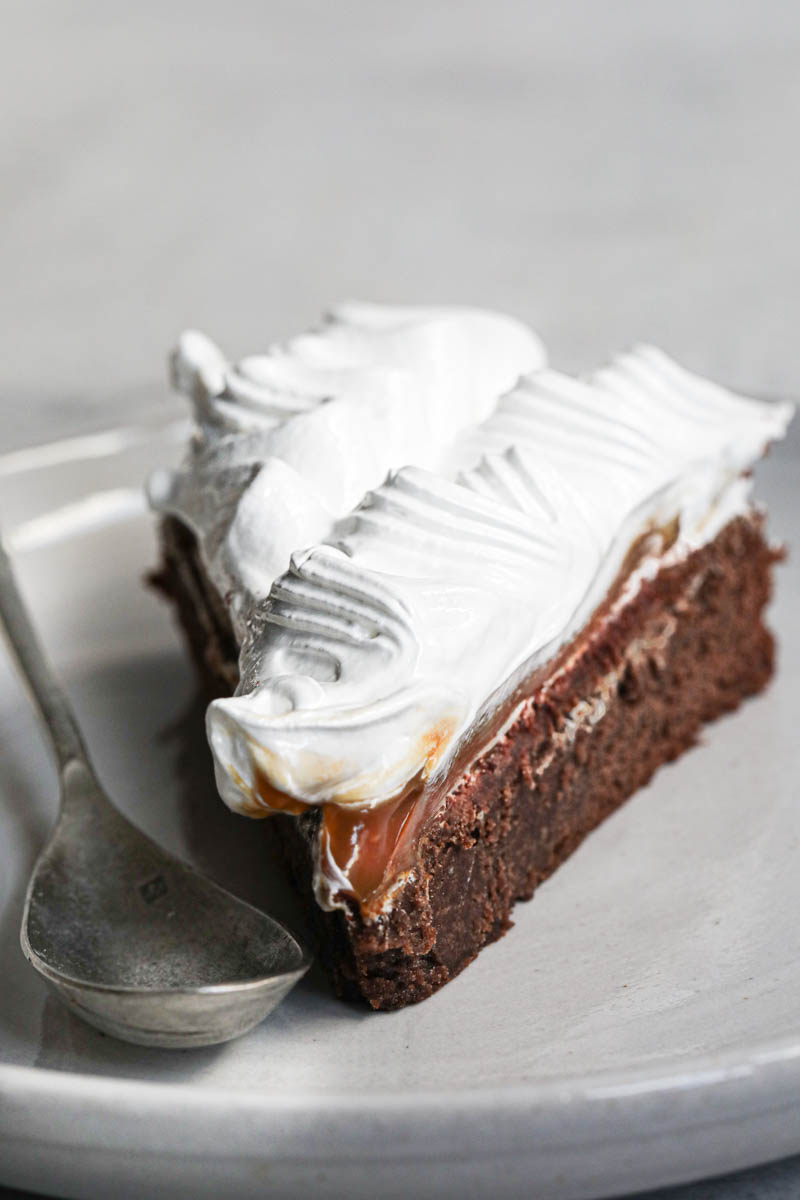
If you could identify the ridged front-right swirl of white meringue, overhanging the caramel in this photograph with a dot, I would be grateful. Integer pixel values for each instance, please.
(381, 649)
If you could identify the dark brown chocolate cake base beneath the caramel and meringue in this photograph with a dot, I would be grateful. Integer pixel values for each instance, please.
(688, 647)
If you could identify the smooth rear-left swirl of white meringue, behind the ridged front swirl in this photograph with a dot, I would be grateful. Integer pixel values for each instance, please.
(290, 441)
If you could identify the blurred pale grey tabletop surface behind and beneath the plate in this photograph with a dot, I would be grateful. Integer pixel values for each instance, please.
(610, 172)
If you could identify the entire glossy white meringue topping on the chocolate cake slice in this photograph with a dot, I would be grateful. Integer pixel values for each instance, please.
(459, 537)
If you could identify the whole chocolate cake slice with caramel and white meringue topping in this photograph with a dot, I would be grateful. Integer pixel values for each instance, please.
(466, 607)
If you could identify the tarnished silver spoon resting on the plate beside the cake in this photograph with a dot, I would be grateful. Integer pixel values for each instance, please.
(135, 941)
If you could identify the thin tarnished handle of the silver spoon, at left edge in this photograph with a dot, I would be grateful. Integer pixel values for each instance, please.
(37, 671)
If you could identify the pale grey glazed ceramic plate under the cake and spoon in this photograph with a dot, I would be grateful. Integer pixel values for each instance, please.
(640, 1025)
